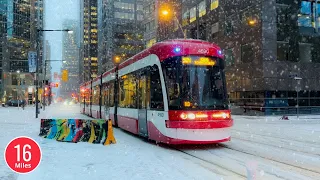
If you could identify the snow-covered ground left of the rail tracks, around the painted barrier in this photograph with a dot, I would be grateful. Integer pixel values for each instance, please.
(130, 158)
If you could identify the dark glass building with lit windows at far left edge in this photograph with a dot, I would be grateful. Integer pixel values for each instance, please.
(18, 23)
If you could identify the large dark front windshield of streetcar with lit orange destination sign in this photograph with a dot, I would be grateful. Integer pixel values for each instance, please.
(195, 82)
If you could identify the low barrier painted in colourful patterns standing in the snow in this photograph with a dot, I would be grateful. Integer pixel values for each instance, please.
(78, 130)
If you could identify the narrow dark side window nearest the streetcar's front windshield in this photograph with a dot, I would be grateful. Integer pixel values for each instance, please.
(156, 89)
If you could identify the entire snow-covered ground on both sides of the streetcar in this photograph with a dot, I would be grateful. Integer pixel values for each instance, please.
(261, 148)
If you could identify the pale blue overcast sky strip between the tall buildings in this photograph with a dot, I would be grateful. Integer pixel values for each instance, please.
(55, 12)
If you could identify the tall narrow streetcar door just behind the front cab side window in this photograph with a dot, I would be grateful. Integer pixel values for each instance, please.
(143, 102)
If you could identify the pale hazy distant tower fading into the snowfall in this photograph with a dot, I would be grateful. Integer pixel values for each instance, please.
(70, 56)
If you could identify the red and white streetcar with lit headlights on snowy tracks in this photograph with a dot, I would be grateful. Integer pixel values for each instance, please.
(173, 92)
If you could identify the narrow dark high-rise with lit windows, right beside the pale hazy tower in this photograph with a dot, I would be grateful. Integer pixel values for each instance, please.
(89, 44)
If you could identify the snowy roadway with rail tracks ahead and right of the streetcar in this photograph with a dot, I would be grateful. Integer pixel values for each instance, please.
(267, 148)
